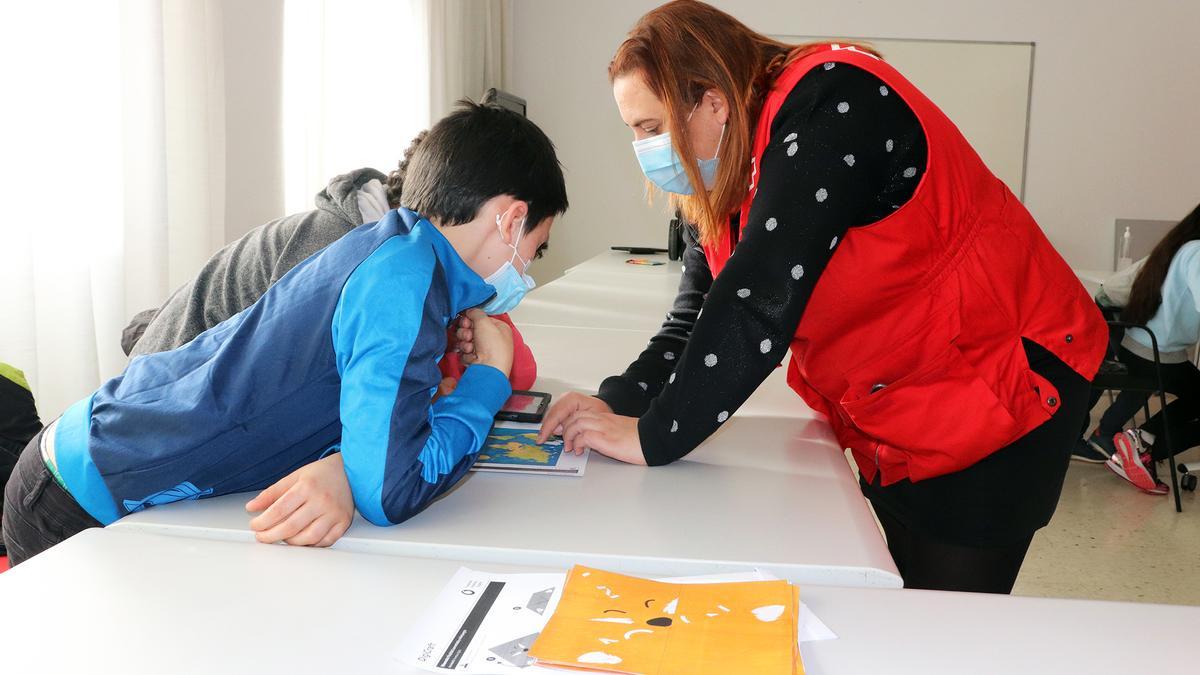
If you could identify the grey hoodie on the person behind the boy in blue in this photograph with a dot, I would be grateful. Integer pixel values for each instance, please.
(237, 276)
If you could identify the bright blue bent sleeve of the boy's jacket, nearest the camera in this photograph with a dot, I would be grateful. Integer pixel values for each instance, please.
(401, 451)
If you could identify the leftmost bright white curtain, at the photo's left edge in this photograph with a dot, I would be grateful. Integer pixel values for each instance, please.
(110, 152)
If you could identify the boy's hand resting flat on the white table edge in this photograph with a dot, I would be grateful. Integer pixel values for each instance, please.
(310, 507)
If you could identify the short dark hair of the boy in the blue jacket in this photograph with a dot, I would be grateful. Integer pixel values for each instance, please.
(477, 153)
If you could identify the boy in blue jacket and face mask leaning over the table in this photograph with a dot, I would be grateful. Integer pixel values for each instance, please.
(340, 355)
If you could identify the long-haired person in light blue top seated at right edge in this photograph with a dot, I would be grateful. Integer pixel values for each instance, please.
(1166, 297)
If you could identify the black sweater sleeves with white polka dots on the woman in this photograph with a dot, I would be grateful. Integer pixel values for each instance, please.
(827, 129)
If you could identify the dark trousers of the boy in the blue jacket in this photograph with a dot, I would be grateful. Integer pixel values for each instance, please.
(38, 513)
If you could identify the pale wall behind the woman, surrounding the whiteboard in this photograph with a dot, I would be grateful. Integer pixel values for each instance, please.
(1113, 129)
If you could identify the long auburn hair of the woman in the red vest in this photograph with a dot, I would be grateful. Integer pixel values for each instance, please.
(686, 49)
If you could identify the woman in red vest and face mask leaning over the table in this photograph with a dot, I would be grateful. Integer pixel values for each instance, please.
(929, 319)
